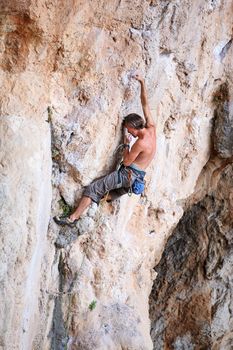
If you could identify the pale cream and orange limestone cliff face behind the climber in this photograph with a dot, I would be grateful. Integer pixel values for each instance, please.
(66, 69)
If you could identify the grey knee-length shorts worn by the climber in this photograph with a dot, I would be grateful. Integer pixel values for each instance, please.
(116, 183)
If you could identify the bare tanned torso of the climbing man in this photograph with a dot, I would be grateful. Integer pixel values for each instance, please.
(148, 148)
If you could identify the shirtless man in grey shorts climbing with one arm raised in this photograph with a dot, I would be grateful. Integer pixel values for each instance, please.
(135, 161)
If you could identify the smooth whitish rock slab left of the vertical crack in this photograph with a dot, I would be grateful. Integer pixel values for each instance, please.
(25, 206)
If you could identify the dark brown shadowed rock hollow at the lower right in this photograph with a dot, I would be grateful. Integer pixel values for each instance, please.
(191, 300)
